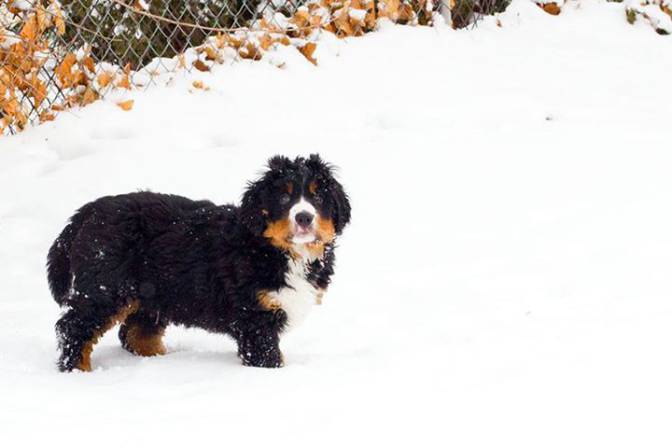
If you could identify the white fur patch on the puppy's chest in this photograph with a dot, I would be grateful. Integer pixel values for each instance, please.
(298, 297)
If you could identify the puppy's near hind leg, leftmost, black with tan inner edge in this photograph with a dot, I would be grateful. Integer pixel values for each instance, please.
(79, 329)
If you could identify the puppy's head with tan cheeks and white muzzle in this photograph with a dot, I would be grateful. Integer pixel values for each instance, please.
(296, 203)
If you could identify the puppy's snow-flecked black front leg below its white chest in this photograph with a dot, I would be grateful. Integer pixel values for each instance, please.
(259, 347)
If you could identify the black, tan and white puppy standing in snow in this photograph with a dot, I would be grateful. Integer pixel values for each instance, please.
(146, 260)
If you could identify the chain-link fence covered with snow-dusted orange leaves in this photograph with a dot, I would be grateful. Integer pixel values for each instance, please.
(56, 54)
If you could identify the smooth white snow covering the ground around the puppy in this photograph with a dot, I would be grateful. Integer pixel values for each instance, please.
(505, 281)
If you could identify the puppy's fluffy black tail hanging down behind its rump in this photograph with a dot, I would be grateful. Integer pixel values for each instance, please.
(58, 260)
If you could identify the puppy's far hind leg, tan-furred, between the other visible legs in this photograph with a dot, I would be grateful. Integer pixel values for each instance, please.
(142, 334)
